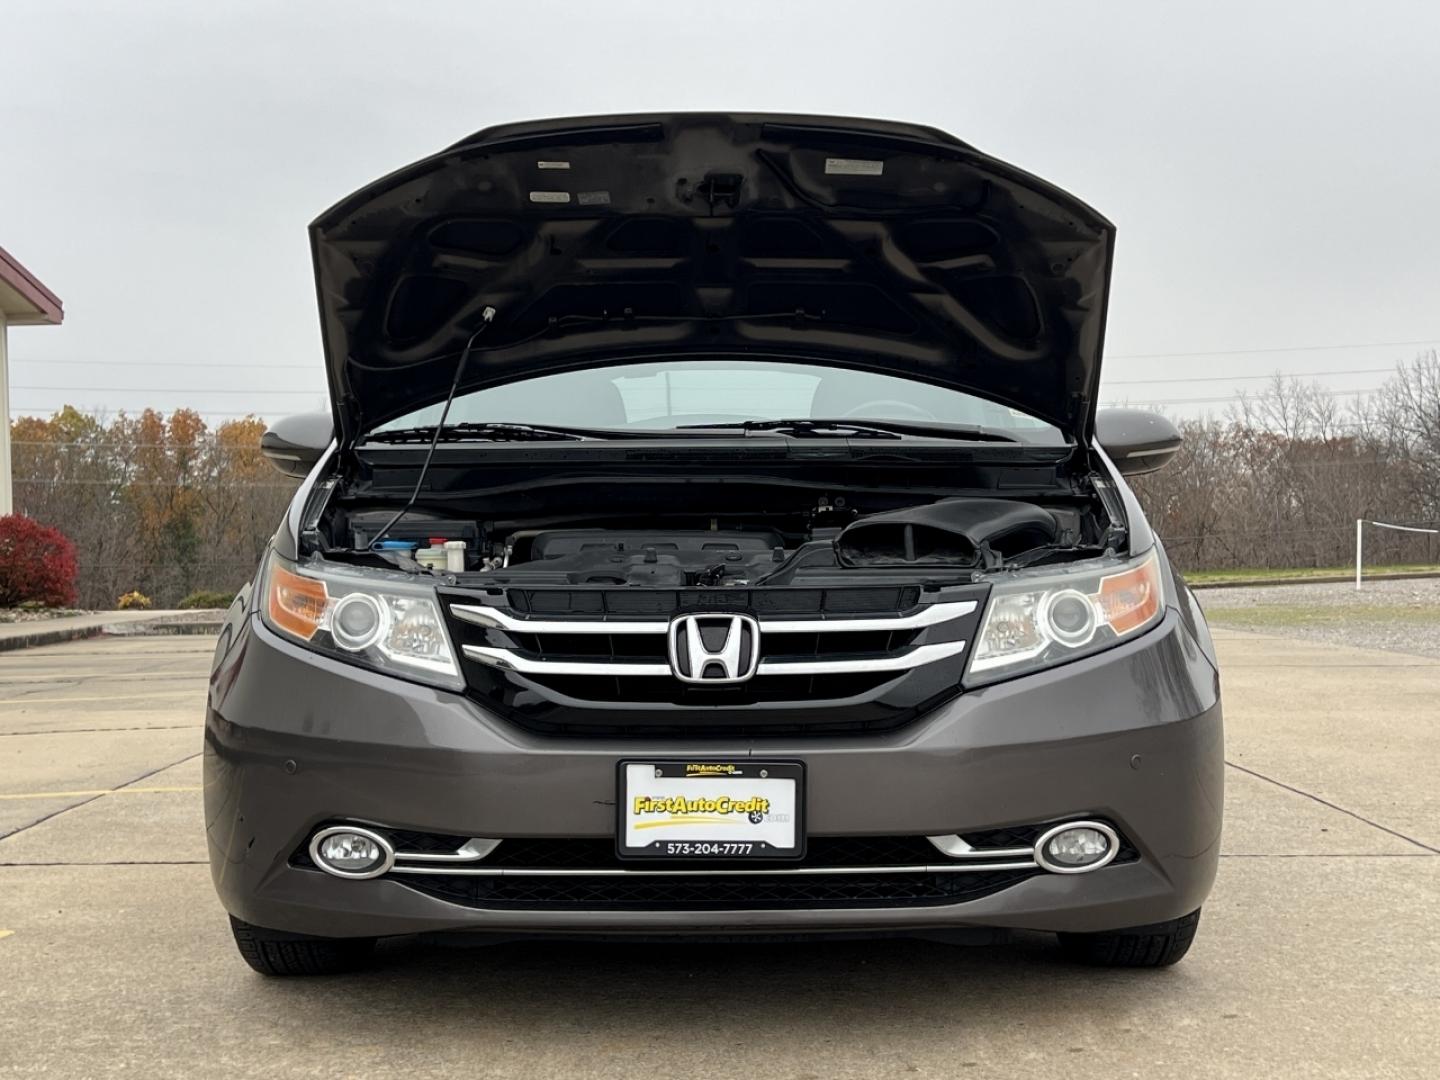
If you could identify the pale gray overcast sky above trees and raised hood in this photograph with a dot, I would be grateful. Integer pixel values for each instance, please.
(1274, 169)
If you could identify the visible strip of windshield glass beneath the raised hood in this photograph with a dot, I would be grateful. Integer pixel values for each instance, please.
(678, 394)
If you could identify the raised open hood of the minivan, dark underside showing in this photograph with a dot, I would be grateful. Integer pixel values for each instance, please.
(855, 243)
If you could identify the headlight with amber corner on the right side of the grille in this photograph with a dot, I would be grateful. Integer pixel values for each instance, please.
(1045, 618)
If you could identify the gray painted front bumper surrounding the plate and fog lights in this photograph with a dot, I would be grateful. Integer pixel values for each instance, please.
(294, 739)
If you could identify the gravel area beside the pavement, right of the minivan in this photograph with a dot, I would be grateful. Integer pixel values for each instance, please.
(1402, 617)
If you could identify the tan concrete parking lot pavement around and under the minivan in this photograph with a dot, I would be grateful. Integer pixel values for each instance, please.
(1318, 955)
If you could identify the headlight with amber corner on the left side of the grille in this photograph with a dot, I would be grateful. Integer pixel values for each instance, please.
(387, 624)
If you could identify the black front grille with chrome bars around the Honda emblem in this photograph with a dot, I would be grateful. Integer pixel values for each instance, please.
(597, 662)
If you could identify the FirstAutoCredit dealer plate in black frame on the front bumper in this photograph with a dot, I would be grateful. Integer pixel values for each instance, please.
(711, 810)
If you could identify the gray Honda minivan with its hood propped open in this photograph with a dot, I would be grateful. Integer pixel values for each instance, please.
(714, 535)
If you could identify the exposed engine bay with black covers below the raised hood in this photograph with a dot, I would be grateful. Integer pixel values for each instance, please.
(945, 539)
